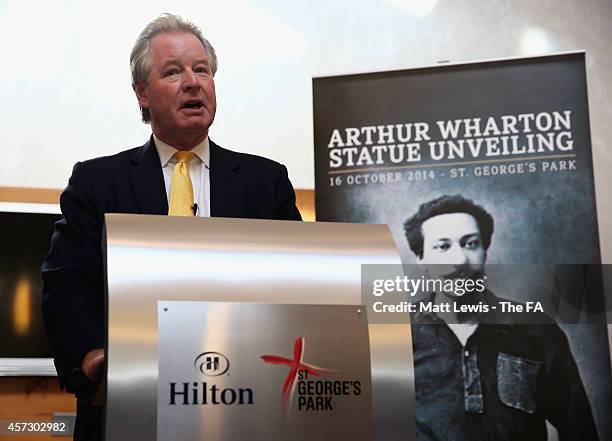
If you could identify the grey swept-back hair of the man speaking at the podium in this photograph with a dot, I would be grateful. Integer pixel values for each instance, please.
(140, 61)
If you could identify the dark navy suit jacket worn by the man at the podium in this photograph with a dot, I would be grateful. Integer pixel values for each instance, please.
(132, 181)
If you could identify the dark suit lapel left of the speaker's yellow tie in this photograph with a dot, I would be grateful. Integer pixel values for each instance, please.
(147, 180)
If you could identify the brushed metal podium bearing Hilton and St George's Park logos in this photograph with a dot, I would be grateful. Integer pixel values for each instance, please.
(241, 281)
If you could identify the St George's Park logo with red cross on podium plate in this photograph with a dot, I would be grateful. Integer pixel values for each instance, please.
(315, 392)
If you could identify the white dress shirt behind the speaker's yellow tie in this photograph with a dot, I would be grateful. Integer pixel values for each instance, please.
(199, 172)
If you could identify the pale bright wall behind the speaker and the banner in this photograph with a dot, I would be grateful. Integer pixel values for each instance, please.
(66, 94)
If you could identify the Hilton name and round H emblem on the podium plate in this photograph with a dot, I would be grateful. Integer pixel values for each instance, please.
(212, 364)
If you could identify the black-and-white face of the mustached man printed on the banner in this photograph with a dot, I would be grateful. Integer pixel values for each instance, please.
(453, 246)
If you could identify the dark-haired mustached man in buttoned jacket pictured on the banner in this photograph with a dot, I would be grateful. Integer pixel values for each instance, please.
(477, 375)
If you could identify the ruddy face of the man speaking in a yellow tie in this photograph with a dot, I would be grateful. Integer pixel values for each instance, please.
(180, 92)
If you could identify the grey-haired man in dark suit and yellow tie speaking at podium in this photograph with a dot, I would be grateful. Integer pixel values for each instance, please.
(178, 171)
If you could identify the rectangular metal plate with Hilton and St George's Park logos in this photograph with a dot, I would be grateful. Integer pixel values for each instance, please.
(241, 398)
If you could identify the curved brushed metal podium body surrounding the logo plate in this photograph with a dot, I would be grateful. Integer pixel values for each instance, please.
(151, 258)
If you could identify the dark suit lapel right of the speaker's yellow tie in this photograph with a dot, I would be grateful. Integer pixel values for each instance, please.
(226, 183)
